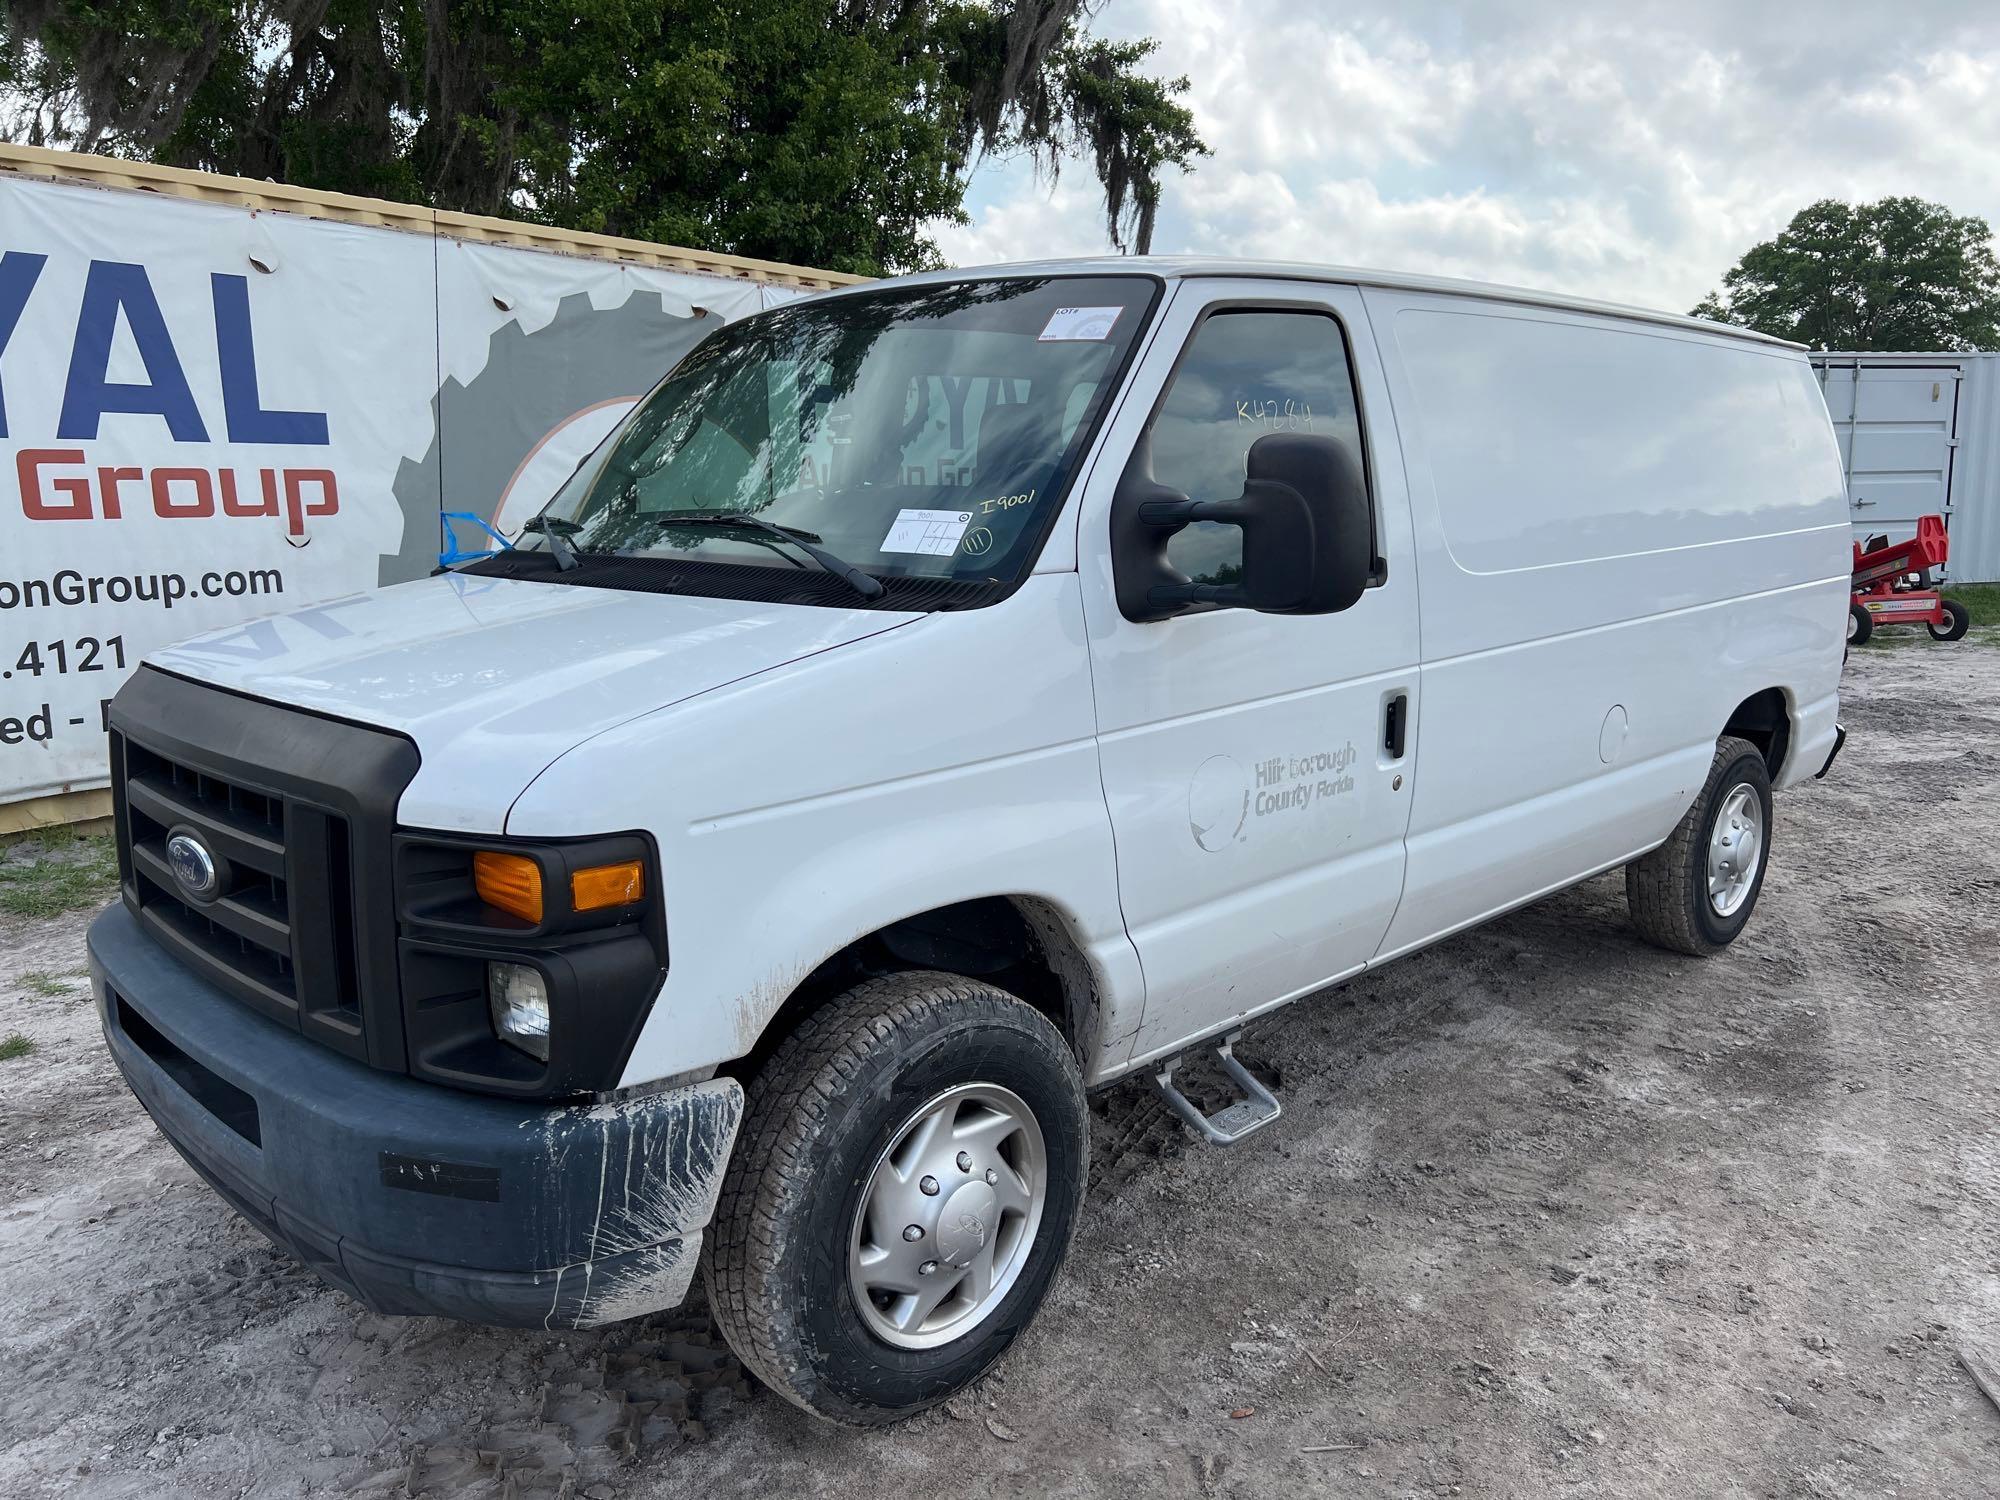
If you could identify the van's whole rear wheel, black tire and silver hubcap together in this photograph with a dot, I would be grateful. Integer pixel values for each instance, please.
(1695, 893)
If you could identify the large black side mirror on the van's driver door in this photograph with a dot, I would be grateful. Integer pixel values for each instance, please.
(1309, 547)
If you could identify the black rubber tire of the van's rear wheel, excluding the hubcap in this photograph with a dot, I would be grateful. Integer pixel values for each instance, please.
(1669, 889)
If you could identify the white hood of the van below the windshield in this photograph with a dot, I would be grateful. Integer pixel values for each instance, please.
(495, 679)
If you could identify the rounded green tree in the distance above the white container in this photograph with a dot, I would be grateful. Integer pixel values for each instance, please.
(1891, 275)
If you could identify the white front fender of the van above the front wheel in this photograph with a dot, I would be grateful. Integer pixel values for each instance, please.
(801, 809)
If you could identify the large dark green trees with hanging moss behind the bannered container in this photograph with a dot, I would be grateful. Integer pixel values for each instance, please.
(833, 133)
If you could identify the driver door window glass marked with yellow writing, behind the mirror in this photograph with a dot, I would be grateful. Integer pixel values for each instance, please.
(1247, 373)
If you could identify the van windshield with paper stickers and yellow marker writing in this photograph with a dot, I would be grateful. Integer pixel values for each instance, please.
(919, 433)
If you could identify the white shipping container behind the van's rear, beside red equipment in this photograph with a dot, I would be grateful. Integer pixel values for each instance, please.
(1921, 437)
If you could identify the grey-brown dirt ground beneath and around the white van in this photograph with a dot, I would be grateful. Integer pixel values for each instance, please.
(1549, 1213)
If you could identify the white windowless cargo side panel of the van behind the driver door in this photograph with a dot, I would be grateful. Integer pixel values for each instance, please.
(1623, 533)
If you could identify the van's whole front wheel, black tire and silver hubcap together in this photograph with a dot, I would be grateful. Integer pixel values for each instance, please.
(909, 1173)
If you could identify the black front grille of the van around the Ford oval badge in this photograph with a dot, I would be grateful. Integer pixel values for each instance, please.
(303, 927)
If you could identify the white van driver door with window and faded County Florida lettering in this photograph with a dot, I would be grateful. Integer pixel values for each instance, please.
(1259, 769)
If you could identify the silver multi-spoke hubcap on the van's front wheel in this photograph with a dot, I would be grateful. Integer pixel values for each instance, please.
(949, 1217)
